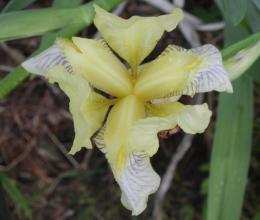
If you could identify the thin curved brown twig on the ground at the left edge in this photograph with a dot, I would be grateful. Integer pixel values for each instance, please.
(20, 157)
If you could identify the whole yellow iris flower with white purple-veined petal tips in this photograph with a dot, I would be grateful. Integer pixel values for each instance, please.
(122, 109)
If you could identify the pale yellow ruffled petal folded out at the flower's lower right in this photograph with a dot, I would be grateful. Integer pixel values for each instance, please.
(143, 135)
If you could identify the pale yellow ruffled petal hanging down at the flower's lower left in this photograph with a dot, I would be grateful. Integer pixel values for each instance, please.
(86, 119)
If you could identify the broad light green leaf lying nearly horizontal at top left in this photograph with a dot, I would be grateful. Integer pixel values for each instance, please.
(21, 24)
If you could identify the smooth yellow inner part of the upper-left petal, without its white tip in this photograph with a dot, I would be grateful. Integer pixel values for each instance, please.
(94, 61)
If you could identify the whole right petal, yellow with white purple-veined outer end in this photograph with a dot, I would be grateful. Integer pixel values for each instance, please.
(183, 72)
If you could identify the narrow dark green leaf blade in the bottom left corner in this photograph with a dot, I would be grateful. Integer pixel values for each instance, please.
(15, 195)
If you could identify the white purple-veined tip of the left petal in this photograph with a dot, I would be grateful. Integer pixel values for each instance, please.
(53, 56)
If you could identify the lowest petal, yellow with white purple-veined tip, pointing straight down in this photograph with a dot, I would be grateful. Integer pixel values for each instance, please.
(132, 170)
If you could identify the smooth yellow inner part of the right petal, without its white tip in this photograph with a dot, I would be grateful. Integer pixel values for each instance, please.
(166, 75)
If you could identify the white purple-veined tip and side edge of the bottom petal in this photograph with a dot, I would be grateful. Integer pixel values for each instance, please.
(137, 180)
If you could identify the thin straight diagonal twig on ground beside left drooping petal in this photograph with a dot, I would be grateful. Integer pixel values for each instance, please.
(61, 147)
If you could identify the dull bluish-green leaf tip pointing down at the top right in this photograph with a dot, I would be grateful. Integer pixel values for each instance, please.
(233, 10)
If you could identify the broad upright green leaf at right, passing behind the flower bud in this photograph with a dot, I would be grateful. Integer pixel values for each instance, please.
(232, 146)
